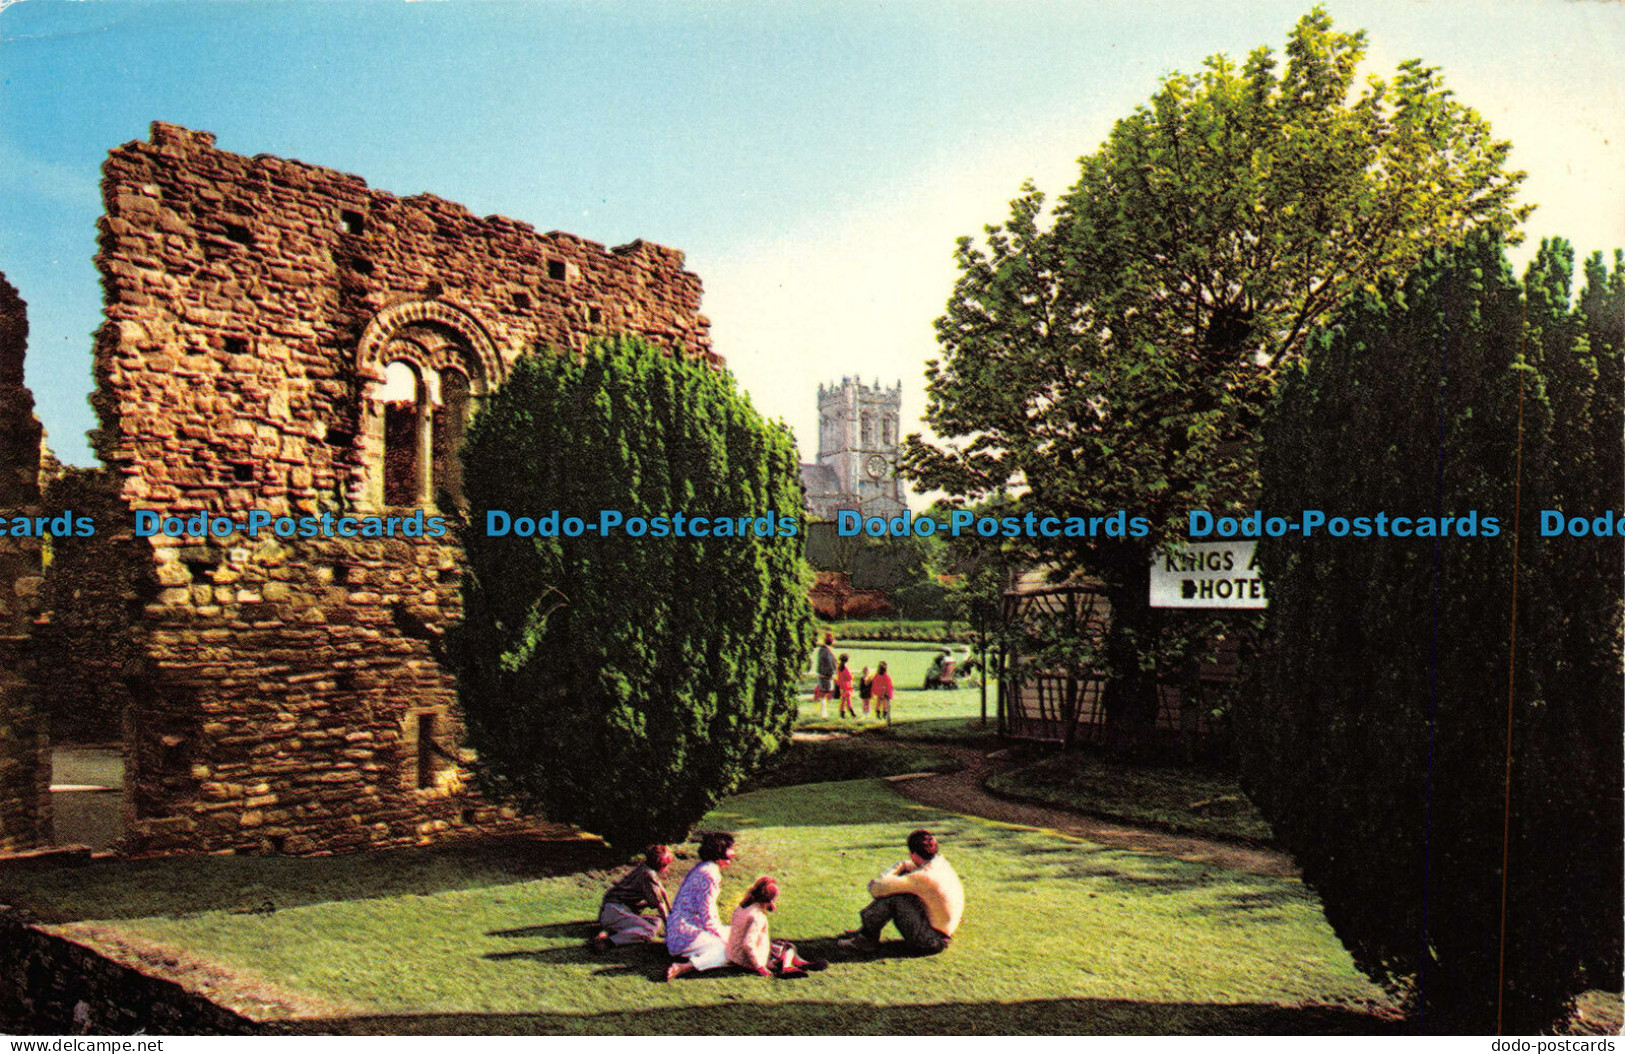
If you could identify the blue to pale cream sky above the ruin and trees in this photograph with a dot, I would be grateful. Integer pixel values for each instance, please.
(817, 162)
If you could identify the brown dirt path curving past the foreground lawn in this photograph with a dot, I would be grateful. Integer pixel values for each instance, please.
(963, 792)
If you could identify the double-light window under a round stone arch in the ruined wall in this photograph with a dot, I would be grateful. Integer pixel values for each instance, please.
(428, 366)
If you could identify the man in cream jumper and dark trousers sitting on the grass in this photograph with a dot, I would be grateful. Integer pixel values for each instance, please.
(921, 896)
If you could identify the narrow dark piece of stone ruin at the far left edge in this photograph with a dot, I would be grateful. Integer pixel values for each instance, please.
(25, 759)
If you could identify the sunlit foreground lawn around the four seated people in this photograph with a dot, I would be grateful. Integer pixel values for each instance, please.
(1060, 935)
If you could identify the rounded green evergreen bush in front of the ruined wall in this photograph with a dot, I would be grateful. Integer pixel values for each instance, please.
(626, 685)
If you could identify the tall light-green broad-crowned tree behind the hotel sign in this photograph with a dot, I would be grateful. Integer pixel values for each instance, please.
(1124, 356)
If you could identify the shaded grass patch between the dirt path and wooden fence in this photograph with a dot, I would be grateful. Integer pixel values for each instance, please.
(1184, 800)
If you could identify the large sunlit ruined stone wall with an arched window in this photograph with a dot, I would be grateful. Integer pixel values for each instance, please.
(253, 306)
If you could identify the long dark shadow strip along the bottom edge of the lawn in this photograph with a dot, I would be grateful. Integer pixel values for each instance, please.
(1070, 1017)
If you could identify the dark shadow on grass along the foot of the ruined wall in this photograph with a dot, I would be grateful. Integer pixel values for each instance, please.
(266, 884)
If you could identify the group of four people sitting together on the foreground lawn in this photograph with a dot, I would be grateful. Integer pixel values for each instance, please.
(921, 896)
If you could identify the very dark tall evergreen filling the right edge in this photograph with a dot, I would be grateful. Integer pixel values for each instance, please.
(1385, 732)
